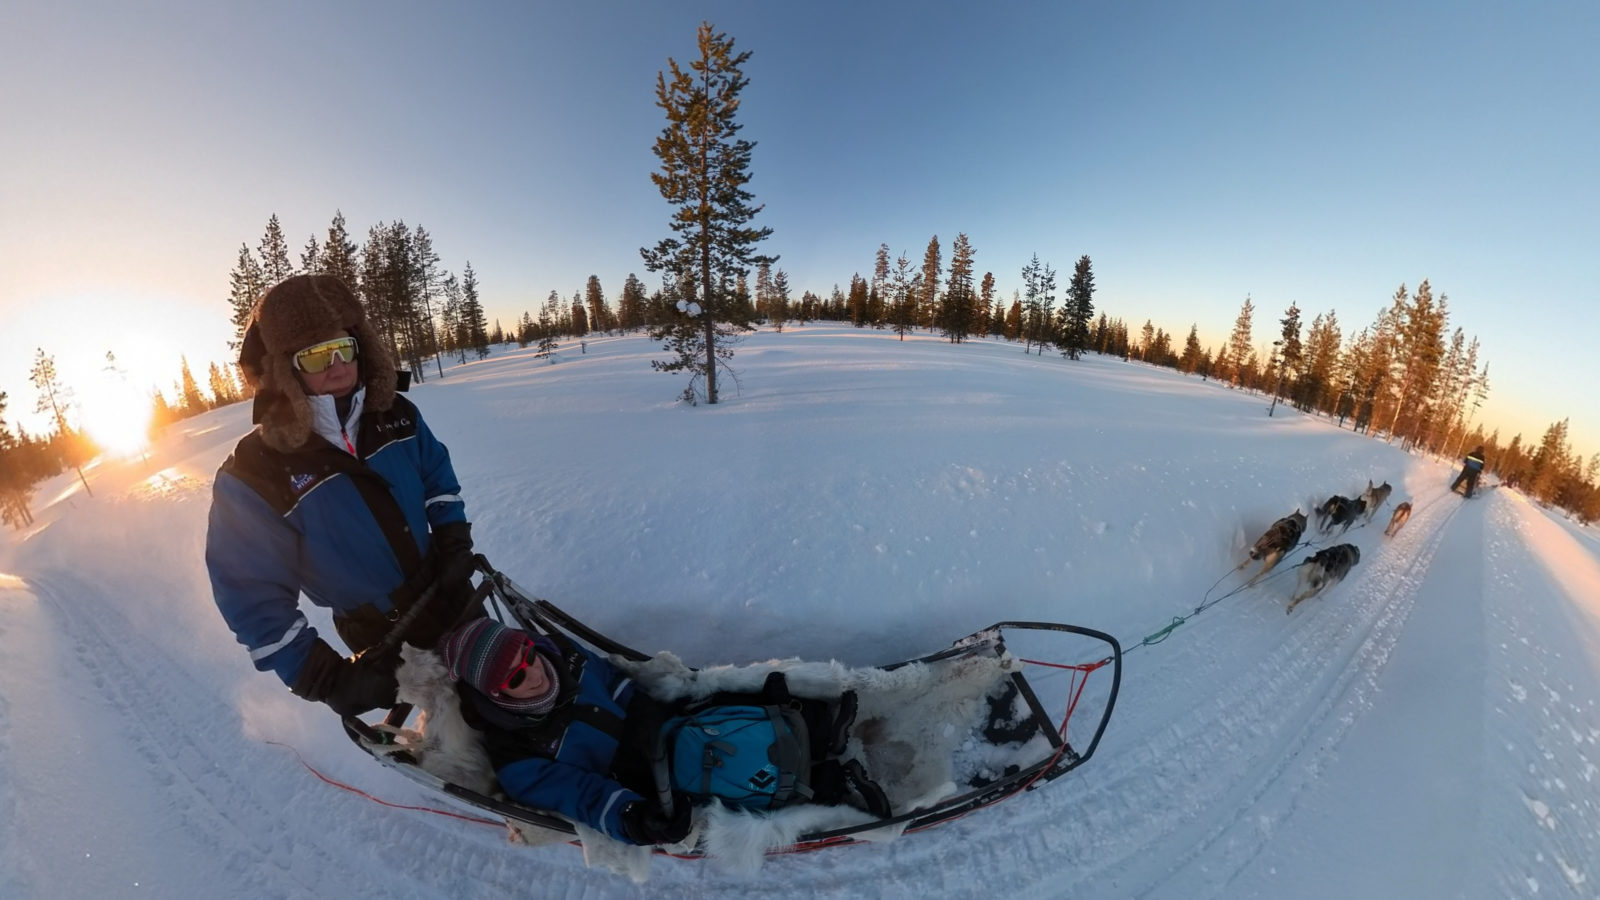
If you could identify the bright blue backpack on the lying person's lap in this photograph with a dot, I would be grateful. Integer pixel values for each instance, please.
(746, 757)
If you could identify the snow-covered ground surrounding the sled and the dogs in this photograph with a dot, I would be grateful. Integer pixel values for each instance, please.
(1431, 728)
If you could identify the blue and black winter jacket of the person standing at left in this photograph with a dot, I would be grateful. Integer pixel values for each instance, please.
(345, 531)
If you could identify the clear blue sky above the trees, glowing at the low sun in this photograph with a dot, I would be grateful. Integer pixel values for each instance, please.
(1199, 153)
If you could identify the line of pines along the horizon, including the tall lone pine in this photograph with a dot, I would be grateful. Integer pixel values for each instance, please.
(1401, 376)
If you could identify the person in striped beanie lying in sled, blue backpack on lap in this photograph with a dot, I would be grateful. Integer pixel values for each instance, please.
(572, 734)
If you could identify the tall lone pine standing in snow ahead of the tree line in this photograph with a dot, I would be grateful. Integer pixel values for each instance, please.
(705, 171)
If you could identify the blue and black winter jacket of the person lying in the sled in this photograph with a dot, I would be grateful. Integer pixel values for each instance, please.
(567, 761)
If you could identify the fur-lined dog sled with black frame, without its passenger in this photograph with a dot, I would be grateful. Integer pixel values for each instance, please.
(945, 734)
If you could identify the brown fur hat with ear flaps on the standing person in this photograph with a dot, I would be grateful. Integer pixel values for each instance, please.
(289, 318)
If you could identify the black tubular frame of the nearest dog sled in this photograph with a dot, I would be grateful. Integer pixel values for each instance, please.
(534, 614)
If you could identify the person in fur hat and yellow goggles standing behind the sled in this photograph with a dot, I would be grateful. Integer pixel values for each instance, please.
(340, 494)
